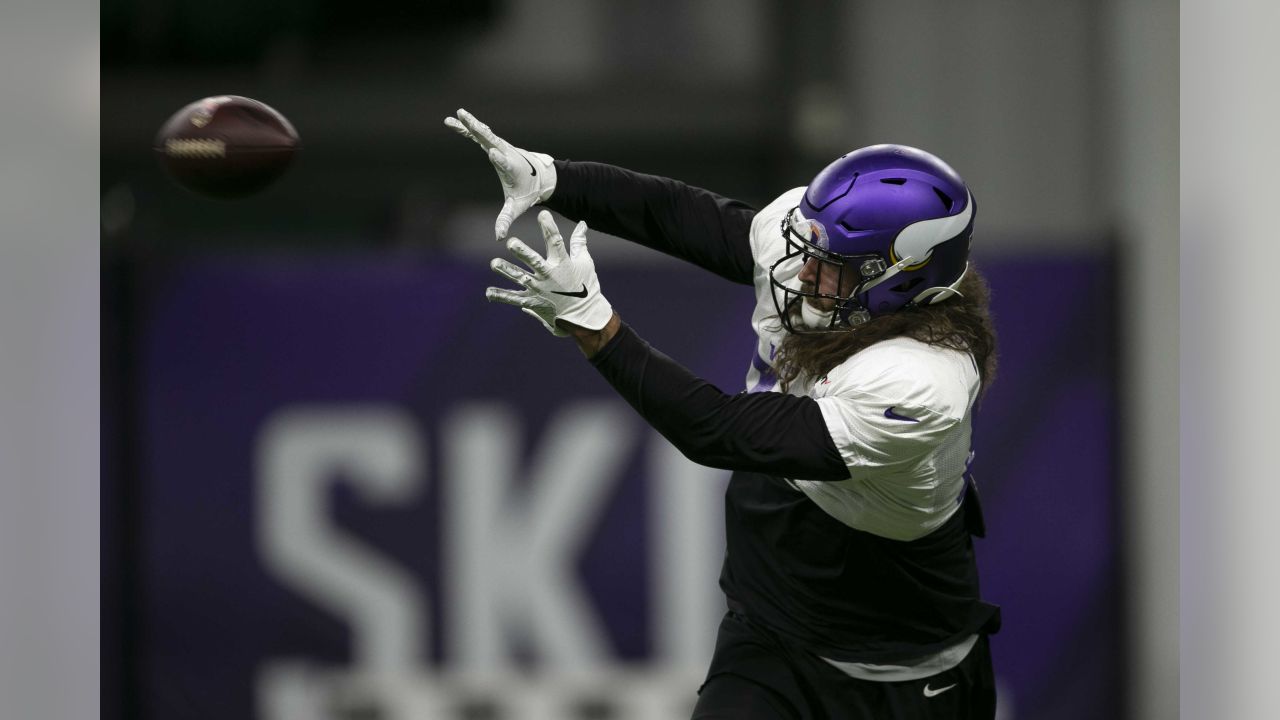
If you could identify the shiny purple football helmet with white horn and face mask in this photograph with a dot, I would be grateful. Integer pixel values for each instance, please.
(892, 222)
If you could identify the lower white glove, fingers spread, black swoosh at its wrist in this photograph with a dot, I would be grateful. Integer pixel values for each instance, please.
(560, 288)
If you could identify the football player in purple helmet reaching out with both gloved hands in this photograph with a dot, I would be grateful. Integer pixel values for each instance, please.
(851, 571)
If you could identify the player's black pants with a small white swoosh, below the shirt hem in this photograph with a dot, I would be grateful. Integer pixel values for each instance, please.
(756, 676)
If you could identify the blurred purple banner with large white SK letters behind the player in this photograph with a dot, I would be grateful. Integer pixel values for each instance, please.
(369, 494)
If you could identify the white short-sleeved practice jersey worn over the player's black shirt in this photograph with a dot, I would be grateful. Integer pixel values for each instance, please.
(899, 412)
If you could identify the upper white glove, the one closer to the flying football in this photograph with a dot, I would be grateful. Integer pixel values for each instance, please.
(528, 179)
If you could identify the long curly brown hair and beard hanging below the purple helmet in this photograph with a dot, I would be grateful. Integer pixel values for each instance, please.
(958, 323)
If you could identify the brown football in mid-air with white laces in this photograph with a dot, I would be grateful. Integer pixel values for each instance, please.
(227, 147)
